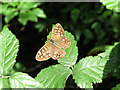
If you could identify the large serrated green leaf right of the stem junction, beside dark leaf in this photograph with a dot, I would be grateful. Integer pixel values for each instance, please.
(89, 70)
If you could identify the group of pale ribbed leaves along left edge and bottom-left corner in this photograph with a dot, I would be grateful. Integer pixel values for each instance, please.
(8, 52)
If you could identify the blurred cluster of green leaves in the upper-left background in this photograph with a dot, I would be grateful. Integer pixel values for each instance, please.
(24, 10)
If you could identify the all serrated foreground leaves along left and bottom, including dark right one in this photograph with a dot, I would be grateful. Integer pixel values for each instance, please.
(87, 71)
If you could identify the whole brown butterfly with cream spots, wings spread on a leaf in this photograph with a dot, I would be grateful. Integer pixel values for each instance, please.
(53, 48)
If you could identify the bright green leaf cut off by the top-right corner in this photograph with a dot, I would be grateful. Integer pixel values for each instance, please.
(111, 4)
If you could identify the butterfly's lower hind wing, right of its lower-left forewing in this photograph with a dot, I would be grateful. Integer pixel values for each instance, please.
(57, 53)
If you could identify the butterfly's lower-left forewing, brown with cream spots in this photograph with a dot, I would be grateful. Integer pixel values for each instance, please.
(44, 53)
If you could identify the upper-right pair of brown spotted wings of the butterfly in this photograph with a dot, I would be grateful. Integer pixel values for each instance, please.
(58, 37)
